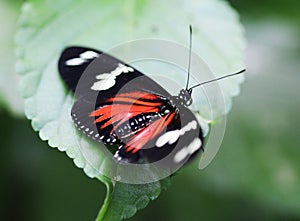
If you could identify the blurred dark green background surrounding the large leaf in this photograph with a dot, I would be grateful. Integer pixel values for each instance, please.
(255, 176)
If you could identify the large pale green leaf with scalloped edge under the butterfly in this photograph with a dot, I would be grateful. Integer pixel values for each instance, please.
(46, 27)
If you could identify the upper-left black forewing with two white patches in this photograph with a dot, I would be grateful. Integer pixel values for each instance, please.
(87, 81)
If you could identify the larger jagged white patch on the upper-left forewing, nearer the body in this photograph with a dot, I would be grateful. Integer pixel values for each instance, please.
(107, 80)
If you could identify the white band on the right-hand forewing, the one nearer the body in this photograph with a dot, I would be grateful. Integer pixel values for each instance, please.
(172, 136)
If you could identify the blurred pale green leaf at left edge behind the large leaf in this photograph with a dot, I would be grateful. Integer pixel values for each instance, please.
(9, 93)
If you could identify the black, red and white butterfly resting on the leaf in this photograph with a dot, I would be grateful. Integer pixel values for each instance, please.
(127, 111)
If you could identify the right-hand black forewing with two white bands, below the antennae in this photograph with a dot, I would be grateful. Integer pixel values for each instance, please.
(178, 144)
